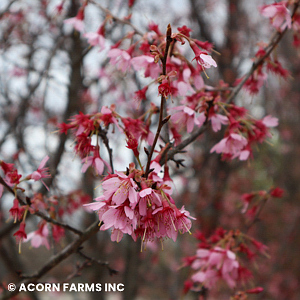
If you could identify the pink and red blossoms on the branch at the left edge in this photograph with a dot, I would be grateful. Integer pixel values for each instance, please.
(52, 206)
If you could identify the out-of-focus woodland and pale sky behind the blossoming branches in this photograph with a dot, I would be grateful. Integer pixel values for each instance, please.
(48, 73)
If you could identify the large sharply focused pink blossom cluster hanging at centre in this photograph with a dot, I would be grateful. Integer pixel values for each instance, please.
(140, 207)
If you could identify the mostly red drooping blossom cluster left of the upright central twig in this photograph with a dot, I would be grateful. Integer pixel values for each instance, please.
(87, 126)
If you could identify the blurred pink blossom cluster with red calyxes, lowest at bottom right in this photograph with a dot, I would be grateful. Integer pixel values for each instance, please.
(219, 258)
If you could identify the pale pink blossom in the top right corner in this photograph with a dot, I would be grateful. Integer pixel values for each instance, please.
(278, 14)
